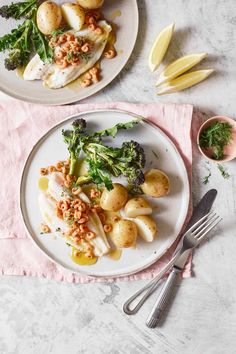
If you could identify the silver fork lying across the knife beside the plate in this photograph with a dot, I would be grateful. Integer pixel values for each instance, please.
(190, 240)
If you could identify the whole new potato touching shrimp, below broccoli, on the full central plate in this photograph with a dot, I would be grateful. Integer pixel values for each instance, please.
(114, 199)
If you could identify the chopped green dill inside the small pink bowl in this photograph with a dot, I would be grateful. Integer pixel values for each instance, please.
(216, 137)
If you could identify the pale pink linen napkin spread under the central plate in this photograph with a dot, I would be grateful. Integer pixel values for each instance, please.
(22, 124)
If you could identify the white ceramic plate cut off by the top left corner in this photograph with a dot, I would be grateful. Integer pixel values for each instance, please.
(123, 13)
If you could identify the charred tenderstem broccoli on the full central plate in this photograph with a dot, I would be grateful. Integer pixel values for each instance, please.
(104, 161)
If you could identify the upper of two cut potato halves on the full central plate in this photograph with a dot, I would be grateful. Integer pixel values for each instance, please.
(137, 206)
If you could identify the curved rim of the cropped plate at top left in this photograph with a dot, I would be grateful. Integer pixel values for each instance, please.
(106, 83)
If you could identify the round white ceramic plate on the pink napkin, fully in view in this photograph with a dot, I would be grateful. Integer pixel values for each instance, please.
(170, 213)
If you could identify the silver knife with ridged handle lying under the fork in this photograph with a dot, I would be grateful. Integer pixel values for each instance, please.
(201, 209)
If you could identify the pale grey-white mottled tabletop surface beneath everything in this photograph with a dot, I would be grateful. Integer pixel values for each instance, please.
(41, 316)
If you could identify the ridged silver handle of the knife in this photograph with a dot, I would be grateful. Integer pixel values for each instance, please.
(163, 299)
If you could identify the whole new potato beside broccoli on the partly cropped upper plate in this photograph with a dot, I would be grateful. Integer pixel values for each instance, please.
(48, 17)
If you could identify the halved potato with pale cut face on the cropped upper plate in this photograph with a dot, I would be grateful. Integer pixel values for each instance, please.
(74, 15)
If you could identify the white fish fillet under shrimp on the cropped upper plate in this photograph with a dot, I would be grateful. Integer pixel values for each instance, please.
(53, 76)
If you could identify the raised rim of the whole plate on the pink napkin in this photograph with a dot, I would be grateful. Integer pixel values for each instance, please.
(23, 210)
